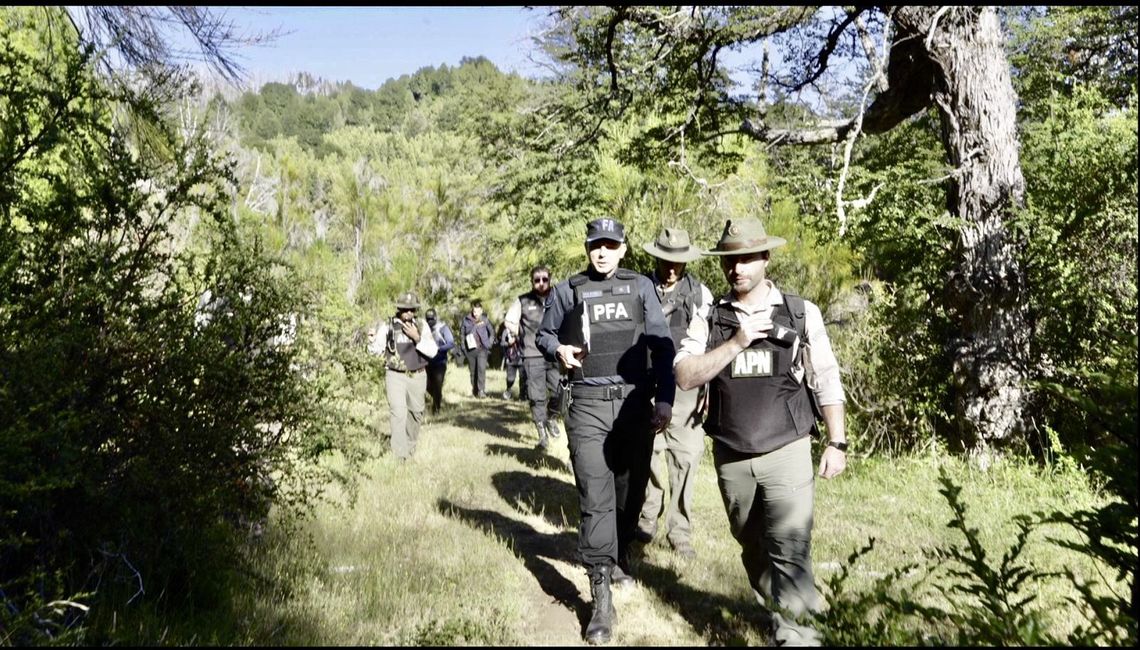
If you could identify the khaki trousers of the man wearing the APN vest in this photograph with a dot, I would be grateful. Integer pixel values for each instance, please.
(769, 499)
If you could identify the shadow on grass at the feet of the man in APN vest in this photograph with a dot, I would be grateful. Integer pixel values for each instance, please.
(722, 620)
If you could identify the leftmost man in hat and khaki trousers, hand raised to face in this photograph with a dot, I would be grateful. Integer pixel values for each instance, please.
(408, 347)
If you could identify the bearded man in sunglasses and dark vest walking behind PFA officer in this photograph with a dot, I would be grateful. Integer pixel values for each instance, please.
(540, 376)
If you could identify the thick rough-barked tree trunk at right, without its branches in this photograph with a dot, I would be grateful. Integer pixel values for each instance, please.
(987, 292)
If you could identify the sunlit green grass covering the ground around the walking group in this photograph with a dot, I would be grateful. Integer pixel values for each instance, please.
(473, 543)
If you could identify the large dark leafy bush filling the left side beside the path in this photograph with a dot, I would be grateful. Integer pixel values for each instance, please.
(144, 433)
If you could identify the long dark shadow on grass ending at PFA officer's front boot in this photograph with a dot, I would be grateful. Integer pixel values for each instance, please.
(533, 549)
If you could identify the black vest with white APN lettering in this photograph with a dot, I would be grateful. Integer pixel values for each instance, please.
(756, 404)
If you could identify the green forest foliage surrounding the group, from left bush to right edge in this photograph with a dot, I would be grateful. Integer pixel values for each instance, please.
(136, 408)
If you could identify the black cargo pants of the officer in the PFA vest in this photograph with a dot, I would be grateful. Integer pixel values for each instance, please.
(612, 444)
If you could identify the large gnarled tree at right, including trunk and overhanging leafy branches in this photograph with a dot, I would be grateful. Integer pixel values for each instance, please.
(906, 61)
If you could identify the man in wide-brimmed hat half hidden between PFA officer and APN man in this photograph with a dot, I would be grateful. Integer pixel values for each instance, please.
(683, 300)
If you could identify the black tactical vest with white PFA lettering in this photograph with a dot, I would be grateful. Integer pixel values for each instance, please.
(608, 320)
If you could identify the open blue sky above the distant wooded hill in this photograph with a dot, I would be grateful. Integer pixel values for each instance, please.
(370, 45)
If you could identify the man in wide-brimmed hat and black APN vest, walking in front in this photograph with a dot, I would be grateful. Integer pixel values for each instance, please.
(759, 353)
